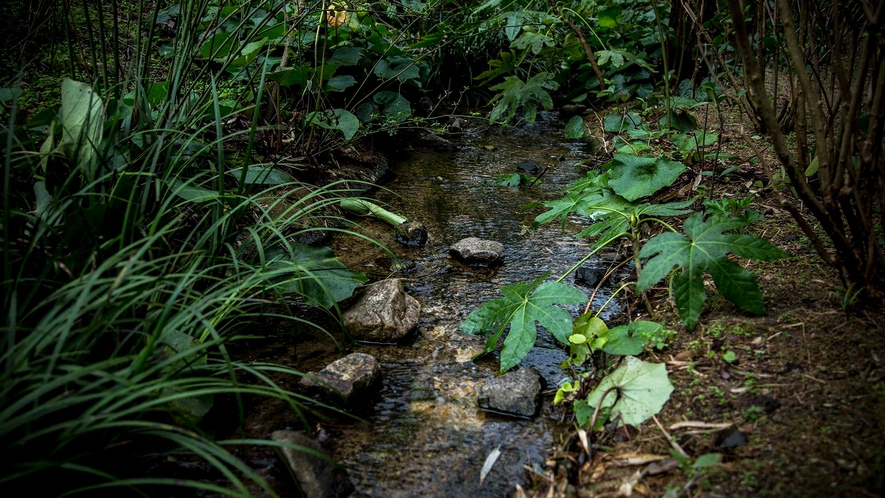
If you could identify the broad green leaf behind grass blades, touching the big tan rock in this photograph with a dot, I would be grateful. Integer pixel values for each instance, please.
(315, 274)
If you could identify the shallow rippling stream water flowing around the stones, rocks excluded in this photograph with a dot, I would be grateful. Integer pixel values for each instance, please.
(425, 435)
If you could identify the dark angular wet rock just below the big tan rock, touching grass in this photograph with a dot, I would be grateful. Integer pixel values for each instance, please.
(353, 377)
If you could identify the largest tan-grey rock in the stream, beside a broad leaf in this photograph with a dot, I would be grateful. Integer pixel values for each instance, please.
(383, 313)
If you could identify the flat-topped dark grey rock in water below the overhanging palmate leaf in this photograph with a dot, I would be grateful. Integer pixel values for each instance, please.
(515, 393)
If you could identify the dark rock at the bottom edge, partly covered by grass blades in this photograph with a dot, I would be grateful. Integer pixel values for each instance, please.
(316, 477)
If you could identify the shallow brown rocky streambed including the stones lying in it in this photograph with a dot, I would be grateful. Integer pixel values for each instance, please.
(429, 424)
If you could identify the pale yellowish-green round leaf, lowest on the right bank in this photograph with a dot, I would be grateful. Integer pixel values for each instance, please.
(638, 391)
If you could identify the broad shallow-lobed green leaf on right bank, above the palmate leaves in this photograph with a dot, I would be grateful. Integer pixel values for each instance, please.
(633, 177)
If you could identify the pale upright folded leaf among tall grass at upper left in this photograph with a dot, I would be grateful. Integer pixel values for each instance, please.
(81, 125)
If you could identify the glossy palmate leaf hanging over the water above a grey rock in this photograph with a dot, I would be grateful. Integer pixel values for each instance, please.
(524, 304)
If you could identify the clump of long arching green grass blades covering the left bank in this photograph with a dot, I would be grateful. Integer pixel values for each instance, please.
(140, 239)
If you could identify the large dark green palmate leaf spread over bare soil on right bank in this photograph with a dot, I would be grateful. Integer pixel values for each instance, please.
(704, 248)
